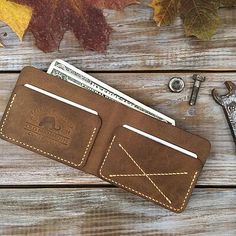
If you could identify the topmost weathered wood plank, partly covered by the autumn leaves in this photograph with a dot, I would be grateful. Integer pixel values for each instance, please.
(136, 44)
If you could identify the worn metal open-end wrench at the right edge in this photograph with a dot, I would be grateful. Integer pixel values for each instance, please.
(228, 102)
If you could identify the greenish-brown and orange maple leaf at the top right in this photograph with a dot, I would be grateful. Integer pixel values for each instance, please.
(200, 17)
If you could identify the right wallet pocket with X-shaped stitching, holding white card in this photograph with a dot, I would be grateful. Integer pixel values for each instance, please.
(157, 170)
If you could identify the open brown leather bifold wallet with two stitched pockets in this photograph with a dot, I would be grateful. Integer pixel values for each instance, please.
(132, 150)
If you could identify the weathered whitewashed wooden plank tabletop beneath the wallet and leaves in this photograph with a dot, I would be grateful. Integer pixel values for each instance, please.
(42, 197)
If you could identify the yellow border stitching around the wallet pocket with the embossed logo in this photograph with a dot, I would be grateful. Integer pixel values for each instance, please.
(37, 149)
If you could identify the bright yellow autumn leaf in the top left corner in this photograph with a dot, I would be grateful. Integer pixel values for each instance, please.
(17, 17)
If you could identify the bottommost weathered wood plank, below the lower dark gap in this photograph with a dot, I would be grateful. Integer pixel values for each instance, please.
(112, 212)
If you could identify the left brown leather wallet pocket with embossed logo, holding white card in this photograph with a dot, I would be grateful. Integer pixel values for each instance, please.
(50, 125)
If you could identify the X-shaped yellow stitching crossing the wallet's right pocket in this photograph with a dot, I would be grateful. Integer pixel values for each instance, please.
(147, 175)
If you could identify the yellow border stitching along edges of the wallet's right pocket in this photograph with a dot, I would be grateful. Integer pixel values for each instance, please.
(141, 194)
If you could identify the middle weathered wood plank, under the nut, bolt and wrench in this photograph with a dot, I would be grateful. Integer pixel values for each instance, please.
(19, 166)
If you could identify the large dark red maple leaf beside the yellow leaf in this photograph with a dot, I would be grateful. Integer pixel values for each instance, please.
(52, 18)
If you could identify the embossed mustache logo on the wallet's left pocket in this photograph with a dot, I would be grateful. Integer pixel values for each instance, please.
(50, 125)
